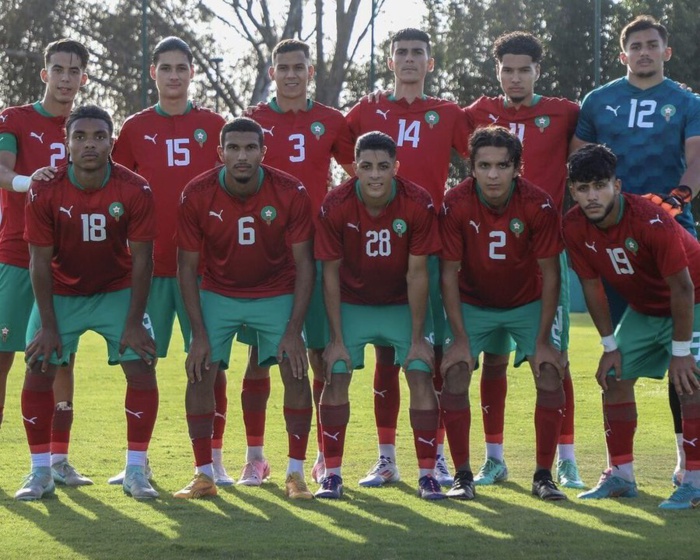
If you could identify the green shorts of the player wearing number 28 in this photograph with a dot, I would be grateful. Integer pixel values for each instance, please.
(383, 325)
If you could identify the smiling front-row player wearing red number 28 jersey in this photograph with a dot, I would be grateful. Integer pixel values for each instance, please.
(374, 226)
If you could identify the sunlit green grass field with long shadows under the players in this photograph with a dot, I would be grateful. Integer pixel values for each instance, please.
(505, 521)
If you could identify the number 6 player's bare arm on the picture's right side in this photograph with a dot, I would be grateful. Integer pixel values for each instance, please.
(292, 343)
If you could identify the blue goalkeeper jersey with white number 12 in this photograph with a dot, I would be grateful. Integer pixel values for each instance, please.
(646, 129)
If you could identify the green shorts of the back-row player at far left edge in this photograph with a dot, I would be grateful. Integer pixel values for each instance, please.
(16, 301)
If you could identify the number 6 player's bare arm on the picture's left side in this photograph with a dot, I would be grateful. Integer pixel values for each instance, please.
(199, 355)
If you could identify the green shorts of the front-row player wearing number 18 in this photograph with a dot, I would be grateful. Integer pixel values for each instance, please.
(103, 313)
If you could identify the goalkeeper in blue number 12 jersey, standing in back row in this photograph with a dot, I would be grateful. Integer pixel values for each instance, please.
(653, 126)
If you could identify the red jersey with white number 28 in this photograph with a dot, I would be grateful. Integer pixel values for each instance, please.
(375, 249)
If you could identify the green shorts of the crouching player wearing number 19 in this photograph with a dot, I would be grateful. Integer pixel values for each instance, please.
(645, 343)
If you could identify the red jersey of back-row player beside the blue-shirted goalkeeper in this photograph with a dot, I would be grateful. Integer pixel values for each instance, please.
(544, 128)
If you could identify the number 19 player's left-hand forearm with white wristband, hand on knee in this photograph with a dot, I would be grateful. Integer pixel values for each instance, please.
(598, 308)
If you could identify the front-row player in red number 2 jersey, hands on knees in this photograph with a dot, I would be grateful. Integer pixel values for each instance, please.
(500, 274)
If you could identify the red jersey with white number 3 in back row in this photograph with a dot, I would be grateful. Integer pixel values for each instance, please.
(302, 144)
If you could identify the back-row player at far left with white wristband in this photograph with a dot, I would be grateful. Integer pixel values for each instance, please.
(32, 145)
